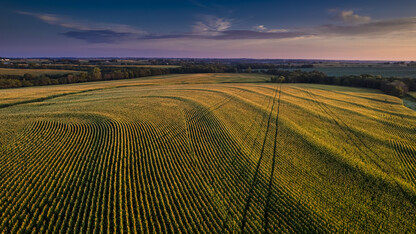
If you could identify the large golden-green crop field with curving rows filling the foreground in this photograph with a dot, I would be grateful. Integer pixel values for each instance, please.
(206, 153)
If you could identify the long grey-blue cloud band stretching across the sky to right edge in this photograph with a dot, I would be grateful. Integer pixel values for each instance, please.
(217, 28)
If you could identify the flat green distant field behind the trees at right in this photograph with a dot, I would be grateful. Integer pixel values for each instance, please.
(405, 72)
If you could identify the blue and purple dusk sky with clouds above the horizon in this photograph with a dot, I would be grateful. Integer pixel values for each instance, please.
(297, 29)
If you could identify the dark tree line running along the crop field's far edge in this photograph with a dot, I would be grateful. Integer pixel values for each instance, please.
(390, 85)
